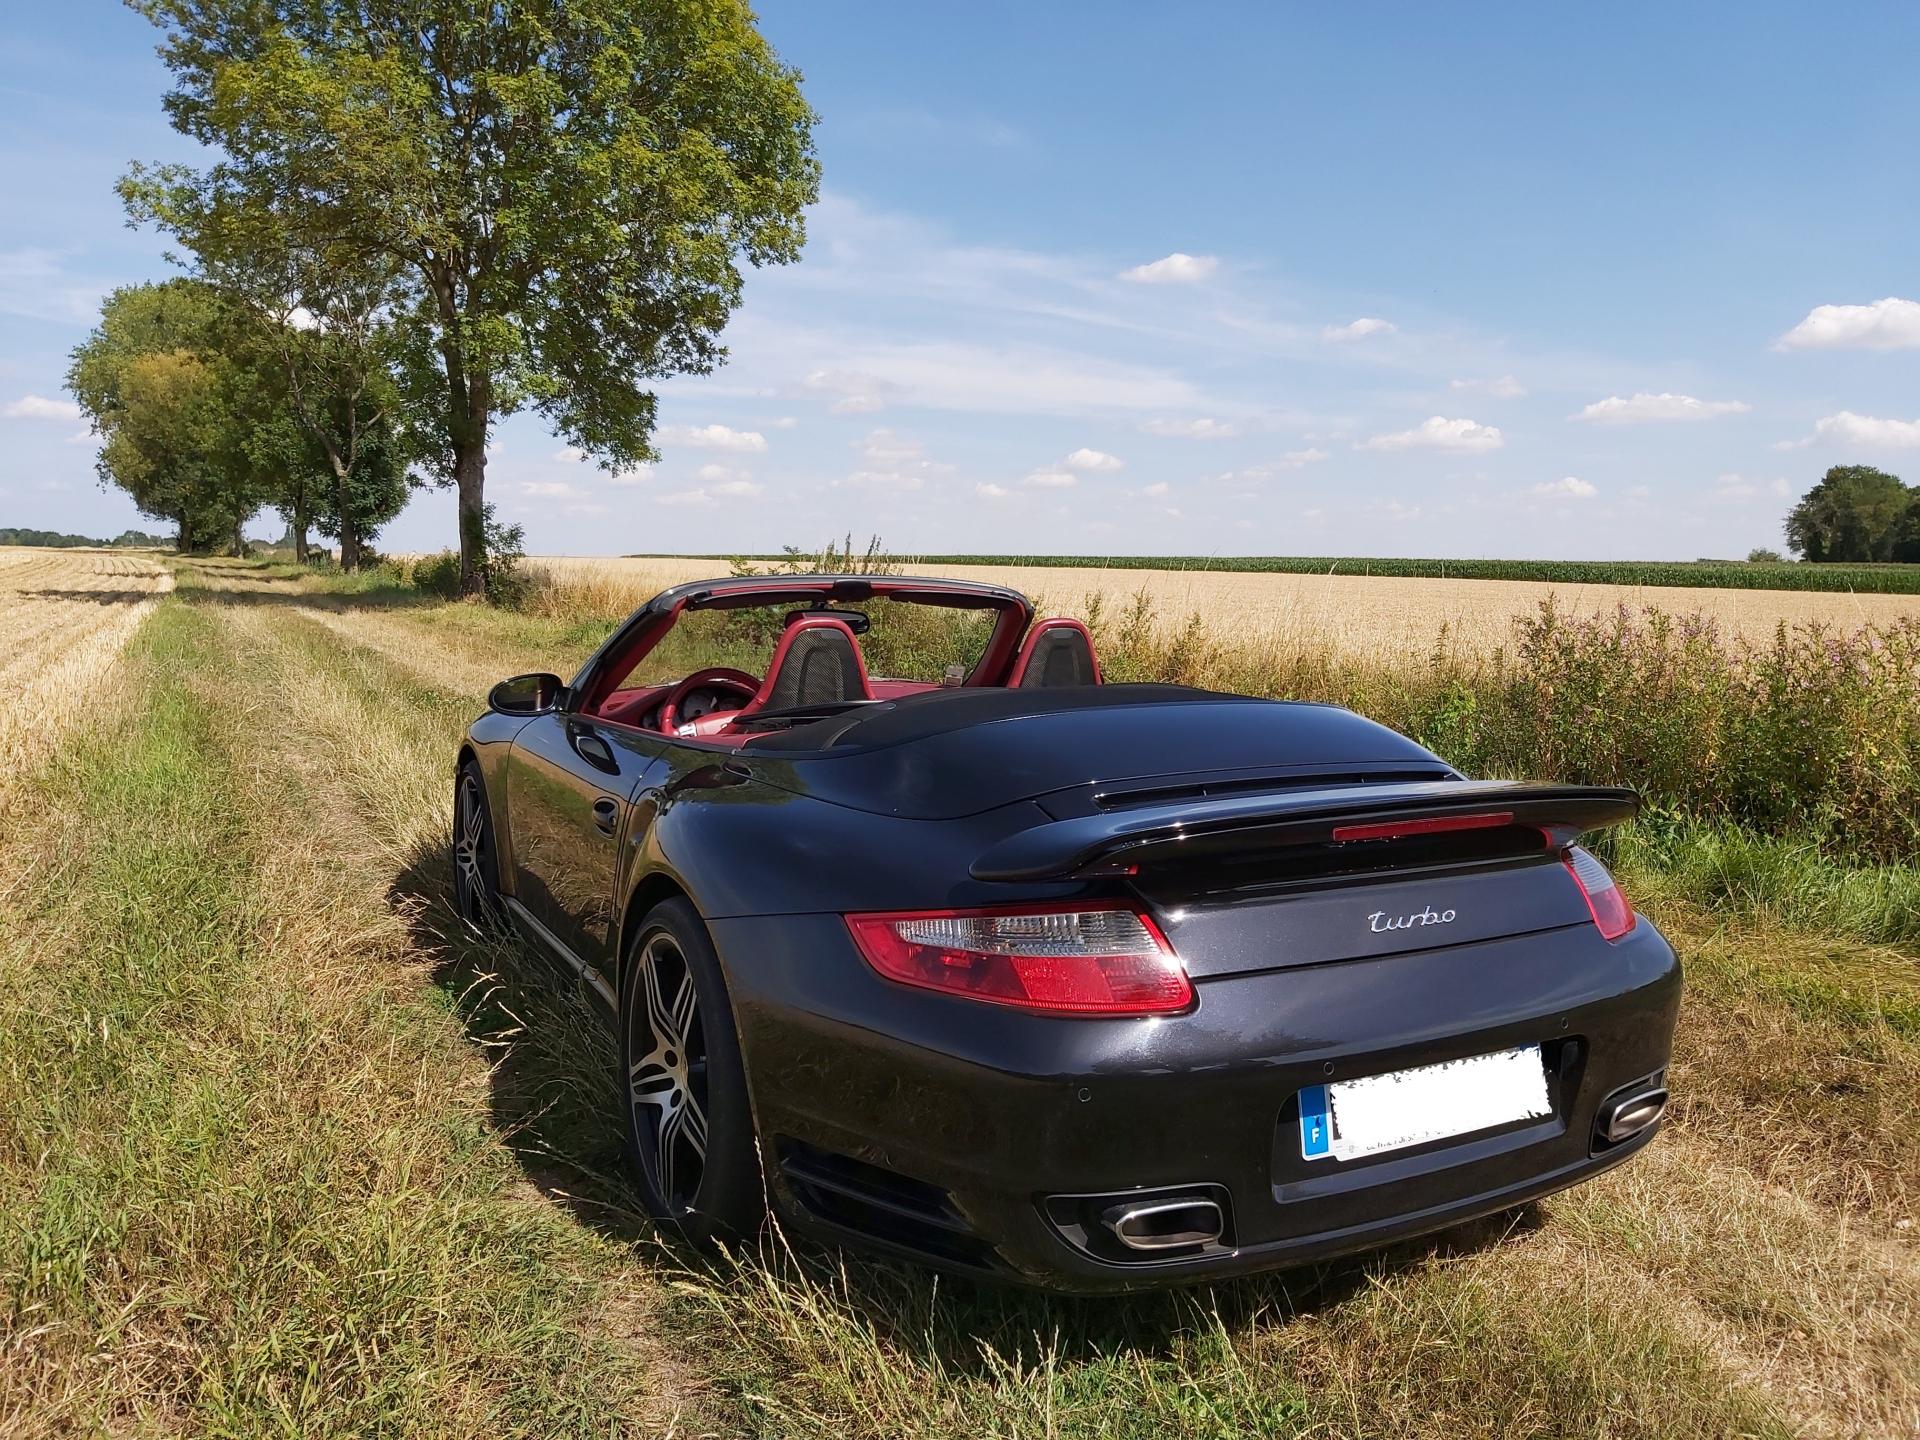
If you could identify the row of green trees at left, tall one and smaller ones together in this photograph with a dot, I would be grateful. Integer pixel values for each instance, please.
(423, 216)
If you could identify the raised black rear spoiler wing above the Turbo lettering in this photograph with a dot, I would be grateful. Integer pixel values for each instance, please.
(1115, 844)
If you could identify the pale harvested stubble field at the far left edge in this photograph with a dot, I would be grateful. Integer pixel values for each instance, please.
(64, 617)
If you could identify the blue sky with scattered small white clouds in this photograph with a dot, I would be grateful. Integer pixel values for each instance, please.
(1201, 279)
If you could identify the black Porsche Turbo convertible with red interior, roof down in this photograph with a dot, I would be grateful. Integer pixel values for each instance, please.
(919, 930)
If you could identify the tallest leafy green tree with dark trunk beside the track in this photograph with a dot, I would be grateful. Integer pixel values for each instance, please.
(565, 189)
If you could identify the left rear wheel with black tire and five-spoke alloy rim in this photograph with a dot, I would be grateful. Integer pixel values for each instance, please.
(688, 1120)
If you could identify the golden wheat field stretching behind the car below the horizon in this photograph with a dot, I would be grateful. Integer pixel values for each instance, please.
(1372, 617)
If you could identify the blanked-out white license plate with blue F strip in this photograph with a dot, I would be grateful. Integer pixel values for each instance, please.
(1410, 1107)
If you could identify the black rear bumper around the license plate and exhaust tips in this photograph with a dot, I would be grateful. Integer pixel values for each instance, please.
(942, 1128)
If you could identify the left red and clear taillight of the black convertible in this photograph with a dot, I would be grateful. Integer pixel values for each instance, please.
(1088, 961)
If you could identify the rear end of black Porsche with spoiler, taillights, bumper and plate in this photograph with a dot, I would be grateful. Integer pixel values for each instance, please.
(1212, 1028)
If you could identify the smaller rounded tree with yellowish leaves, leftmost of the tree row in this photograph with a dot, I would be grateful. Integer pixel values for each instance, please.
(170, 406)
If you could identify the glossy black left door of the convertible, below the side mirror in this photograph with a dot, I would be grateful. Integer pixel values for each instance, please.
(571, 784)
